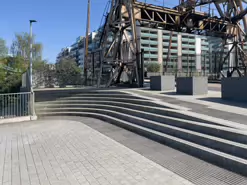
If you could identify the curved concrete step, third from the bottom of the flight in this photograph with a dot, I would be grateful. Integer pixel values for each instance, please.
(144, 112)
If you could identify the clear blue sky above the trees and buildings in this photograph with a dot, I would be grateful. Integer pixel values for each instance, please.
(60, 22)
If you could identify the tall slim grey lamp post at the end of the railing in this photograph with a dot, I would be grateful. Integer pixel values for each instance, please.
(33, 115)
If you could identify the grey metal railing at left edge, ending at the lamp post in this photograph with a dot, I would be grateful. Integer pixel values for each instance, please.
(15, 105)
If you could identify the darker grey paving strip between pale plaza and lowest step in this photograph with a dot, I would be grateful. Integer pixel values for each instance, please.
(195, 170)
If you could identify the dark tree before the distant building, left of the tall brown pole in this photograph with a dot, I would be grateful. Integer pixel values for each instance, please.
(68, 73)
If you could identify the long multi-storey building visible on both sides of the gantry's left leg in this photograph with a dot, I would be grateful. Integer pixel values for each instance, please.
(176, 51)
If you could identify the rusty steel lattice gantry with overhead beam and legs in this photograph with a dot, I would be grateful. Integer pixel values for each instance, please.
(119, 42)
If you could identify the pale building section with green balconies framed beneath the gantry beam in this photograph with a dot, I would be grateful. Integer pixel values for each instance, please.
(177, 51)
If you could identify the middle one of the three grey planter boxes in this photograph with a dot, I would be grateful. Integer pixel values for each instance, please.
(192, 85)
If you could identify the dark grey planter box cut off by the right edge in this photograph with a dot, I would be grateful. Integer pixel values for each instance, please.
(234, 88)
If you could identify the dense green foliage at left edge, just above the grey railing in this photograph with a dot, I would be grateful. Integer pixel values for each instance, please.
(10, 80)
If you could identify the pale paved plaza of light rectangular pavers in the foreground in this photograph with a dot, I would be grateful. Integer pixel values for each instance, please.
(65, 152)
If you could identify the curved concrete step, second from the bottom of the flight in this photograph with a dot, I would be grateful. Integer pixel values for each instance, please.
(217, 143)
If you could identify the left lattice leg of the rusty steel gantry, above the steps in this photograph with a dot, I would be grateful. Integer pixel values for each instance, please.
(120, 18)
